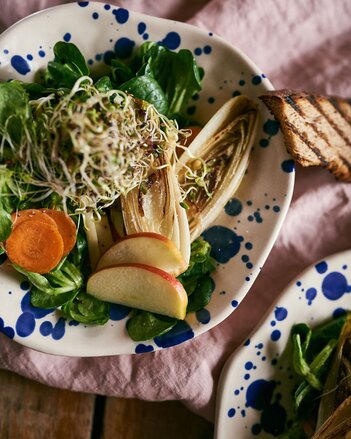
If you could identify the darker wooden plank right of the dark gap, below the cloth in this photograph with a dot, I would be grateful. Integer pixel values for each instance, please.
(132, 418)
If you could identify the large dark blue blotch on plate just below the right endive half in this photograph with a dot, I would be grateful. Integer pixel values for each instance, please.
(224, 241)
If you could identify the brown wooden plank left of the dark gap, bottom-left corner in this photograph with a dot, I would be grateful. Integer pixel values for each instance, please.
(31, 410)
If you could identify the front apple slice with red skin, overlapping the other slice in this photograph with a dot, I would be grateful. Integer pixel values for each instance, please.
(140, 286)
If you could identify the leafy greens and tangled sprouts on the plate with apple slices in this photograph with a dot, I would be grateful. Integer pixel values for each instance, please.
(38, 125)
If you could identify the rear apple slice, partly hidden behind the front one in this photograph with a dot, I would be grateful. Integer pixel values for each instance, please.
(145, 248)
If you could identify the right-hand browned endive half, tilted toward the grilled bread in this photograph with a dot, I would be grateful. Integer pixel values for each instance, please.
(212, 167)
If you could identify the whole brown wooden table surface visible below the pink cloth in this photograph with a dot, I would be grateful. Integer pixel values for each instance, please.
(32, 410)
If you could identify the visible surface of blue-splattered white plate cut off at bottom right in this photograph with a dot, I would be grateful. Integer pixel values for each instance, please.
(256, 384)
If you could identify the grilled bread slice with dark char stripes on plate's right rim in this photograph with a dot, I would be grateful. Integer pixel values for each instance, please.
(316, 129)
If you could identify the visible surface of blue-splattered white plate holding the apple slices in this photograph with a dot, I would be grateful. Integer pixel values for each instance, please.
(243, 234)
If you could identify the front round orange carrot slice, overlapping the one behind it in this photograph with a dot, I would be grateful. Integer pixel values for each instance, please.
(35, 246)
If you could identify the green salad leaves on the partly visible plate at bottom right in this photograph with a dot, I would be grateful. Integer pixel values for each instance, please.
(311, 358)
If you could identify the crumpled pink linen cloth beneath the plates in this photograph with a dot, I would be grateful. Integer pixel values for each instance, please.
(299, 45)
